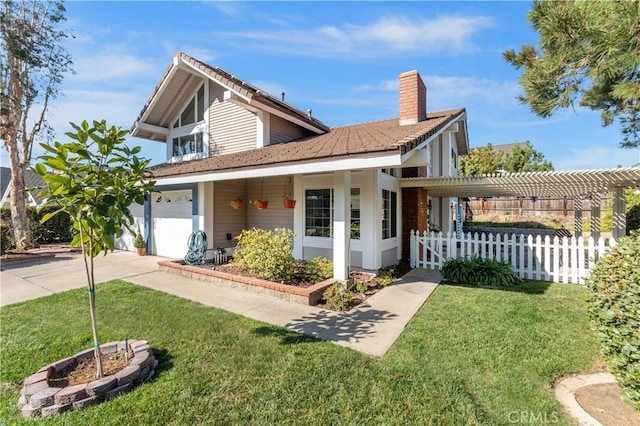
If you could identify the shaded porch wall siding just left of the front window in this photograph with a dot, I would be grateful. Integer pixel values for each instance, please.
(275, 216)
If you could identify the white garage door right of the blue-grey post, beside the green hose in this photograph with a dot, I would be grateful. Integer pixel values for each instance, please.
(172, 223)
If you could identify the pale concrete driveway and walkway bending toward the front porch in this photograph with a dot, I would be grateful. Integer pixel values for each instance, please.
(371, 328)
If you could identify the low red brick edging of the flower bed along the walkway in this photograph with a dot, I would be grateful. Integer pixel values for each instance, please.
(308, 296)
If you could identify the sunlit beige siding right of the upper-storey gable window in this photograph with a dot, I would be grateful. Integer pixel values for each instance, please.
(231, 127)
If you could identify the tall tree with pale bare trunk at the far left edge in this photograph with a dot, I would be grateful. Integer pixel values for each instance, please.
(33, 63)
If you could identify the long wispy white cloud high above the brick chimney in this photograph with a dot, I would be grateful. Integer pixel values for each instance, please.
(389, 36)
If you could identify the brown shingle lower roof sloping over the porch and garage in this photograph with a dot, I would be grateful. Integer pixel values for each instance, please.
(377, 137)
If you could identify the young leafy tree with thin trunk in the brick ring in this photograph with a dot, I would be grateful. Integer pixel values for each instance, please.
(95, 179)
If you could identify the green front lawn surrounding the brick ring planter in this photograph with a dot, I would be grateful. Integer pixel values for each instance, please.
(470, 356)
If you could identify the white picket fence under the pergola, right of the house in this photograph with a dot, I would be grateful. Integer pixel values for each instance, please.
(567, 260)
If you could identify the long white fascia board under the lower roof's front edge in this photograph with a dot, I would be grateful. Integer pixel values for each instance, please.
(329, 165)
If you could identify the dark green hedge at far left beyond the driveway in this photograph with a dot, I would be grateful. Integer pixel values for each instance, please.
(58, 229)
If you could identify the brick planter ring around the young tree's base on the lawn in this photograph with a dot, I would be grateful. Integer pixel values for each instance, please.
(39, 398)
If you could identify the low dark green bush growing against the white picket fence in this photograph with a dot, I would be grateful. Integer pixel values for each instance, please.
(479, 272)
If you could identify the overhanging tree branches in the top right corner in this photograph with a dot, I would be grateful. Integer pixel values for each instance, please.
(588, 50)
